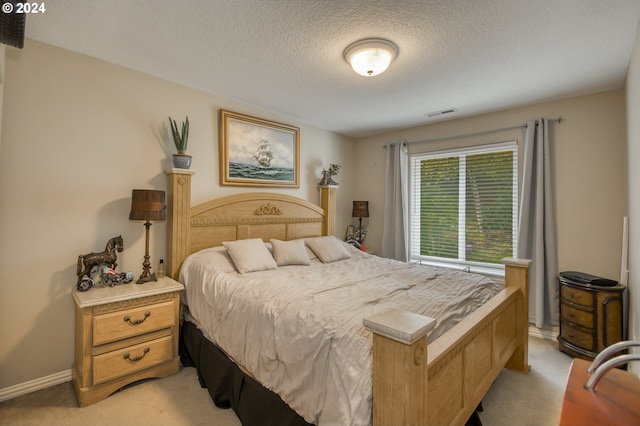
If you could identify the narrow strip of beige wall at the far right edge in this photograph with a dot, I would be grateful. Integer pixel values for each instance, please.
(633, 130)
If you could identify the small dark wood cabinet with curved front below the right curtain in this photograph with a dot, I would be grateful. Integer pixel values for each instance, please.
(591, 317)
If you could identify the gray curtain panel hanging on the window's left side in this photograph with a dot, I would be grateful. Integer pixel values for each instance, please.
(396, 196)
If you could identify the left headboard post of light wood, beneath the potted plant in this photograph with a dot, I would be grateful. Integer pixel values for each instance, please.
(178, 217)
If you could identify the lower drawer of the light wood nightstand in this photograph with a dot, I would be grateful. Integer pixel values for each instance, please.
(131, 359)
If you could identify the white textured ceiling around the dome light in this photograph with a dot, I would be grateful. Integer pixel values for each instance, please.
(286, 56)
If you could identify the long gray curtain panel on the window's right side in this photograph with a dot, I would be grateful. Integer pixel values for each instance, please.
(536, 228)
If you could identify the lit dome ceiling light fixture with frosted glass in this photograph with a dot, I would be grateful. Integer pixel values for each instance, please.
(370, 56)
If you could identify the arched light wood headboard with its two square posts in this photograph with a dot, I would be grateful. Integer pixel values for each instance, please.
(248, 215)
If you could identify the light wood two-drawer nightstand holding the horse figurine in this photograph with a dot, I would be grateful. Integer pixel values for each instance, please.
(123, 334)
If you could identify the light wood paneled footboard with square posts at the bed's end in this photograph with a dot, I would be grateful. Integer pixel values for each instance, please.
(443, 383)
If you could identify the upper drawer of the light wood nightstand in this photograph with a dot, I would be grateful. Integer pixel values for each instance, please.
(132, 322)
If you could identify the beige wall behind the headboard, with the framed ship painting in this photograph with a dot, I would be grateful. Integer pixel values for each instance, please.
(78, 135)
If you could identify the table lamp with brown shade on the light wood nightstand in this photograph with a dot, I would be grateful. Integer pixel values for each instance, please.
(147, 205)
